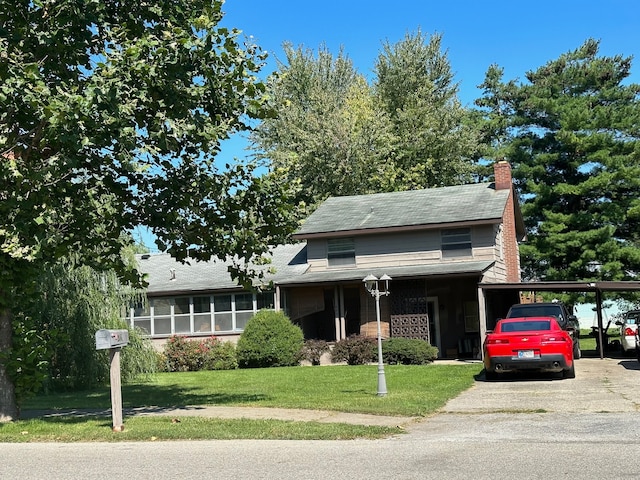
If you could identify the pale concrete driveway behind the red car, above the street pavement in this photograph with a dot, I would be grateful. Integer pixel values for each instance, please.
(601, 386)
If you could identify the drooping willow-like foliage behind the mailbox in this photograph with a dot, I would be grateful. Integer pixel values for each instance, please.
(65, 310)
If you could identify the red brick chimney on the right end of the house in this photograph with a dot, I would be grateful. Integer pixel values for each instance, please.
(503, 181)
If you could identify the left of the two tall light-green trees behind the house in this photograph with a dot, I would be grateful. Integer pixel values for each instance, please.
(328, 135)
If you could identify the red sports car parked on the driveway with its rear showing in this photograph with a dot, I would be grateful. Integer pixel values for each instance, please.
(528, 343)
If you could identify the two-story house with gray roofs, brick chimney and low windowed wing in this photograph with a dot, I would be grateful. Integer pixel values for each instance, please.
(436, 244)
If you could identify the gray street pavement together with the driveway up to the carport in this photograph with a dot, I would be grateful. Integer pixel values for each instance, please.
(520, 428)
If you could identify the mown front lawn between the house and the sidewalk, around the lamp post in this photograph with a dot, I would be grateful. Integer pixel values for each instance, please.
(412, 390)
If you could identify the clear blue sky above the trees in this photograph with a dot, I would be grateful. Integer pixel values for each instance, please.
(516, 35)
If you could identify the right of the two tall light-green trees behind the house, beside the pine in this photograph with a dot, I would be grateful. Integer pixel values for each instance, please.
(433, 142)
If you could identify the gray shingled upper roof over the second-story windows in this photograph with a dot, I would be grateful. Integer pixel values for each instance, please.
(459, 203)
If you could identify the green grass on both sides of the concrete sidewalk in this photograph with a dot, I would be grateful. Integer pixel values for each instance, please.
(412, 391)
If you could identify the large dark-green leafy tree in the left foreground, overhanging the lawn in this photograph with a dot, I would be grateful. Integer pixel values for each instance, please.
(111, 114)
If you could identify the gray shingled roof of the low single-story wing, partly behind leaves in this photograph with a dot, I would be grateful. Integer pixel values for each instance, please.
(288, 260)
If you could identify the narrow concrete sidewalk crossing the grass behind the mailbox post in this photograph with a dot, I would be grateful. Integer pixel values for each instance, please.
(254, 413)
